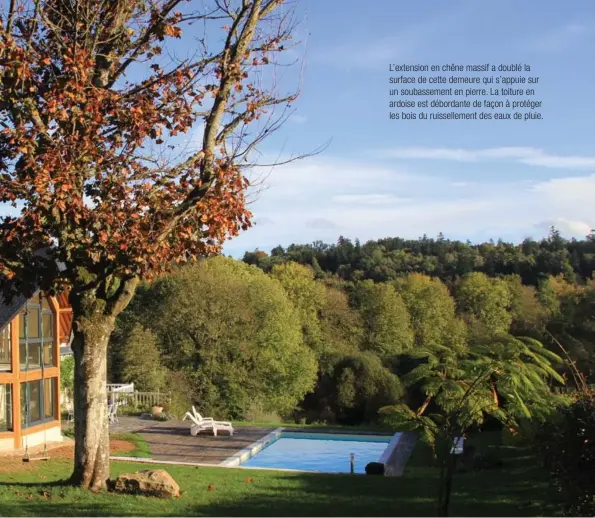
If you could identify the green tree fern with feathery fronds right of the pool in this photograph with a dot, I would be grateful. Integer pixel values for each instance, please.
(506, 378)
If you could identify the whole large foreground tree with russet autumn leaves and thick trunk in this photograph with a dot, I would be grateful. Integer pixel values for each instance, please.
(93, 102)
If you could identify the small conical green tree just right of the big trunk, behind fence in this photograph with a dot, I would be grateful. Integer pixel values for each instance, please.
(142, 363)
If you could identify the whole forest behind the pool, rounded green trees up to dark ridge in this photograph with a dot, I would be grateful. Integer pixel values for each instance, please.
(333, 333)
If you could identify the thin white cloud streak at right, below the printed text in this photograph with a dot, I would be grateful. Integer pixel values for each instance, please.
(524, 155)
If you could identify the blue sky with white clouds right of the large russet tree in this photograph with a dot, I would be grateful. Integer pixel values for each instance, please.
(471, 180)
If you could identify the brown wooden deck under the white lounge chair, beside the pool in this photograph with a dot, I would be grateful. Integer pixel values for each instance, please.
(171, 441)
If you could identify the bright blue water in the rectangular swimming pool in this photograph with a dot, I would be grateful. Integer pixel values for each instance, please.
(328, 453)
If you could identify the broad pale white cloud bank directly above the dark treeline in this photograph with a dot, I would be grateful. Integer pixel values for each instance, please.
(321, 199)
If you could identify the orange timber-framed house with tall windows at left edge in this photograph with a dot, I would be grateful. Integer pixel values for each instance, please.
(31, 334)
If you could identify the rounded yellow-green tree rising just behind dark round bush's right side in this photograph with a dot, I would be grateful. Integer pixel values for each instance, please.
(387, 325)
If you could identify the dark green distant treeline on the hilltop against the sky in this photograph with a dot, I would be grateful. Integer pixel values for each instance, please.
(387, 259)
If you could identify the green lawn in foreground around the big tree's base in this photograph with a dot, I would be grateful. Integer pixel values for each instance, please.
(517, 489)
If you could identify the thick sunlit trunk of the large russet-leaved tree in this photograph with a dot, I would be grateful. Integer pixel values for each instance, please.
(93, 323)
